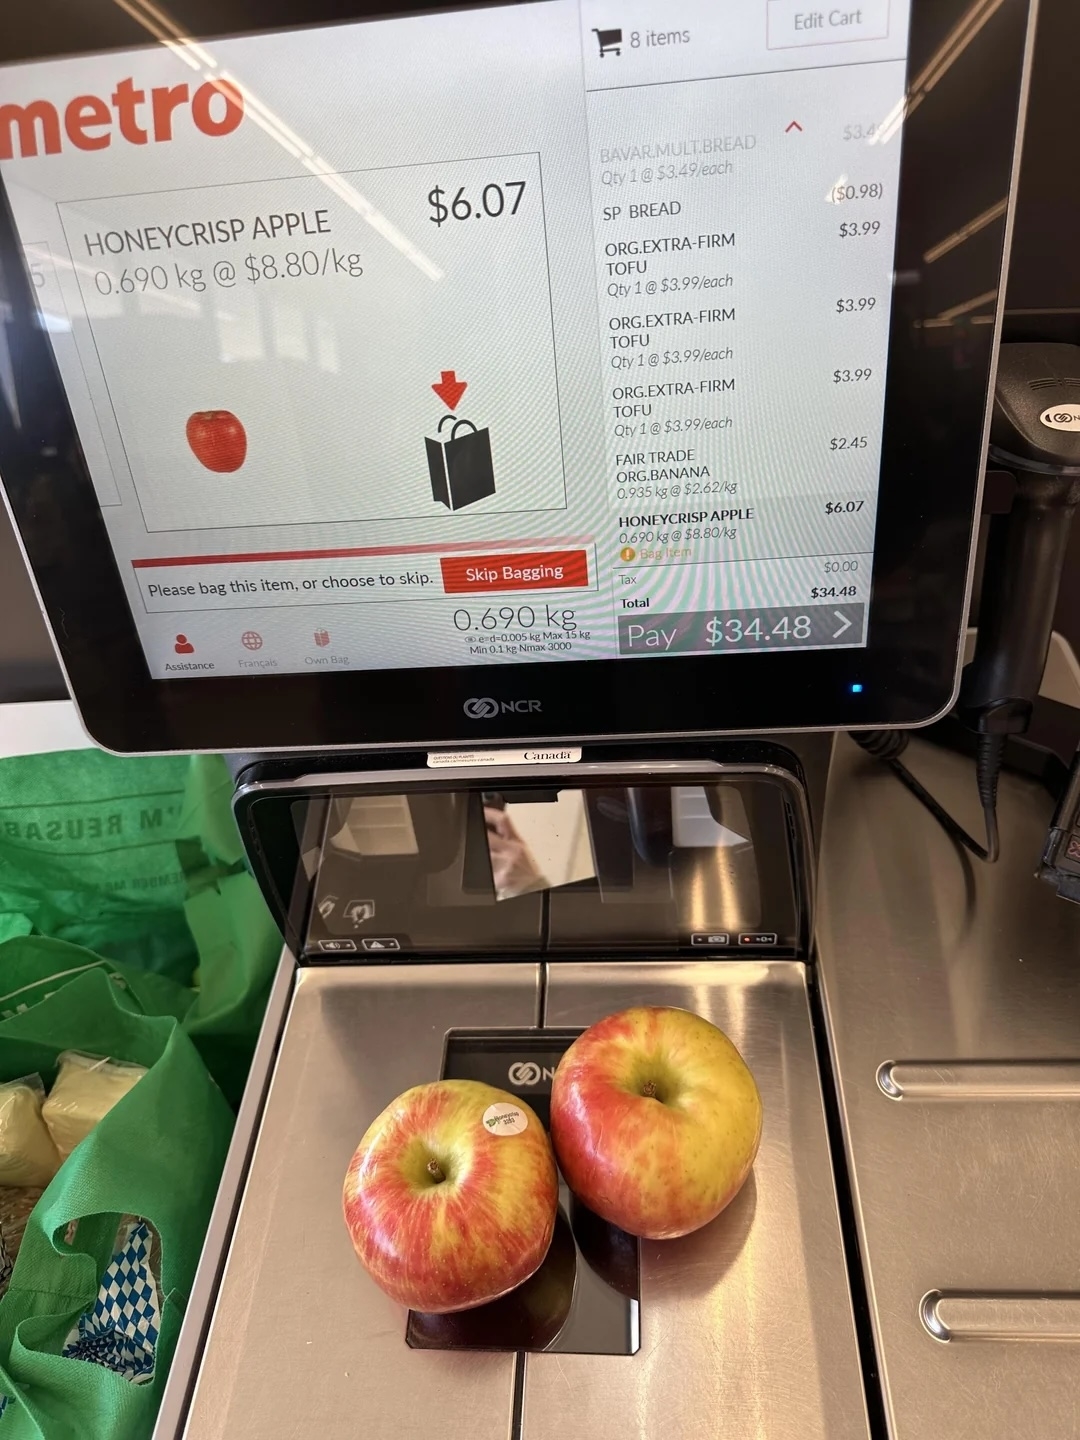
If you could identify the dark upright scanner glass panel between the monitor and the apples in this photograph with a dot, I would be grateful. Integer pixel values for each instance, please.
(526, 868)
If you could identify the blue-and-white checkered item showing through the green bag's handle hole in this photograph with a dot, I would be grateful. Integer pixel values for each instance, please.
(122, 1330)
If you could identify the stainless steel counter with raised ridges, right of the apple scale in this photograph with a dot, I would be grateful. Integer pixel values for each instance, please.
(954, 1003)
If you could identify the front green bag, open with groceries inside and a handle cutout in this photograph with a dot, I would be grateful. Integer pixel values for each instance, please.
(158, 1156)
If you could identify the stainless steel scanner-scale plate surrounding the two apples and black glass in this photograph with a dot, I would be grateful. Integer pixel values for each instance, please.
(747, 1327)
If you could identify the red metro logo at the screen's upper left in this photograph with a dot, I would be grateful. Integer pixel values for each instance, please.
(135, 116)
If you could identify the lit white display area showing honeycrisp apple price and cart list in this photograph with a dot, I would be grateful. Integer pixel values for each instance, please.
(555, 332)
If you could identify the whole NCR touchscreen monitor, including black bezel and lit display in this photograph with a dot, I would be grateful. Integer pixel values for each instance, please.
(558, 369)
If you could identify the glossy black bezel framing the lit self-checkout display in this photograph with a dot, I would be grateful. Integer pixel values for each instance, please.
(958, 159)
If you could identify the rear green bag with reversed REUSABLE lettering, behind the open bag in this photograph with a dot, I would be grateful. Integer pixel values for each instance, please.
(139, 860)
